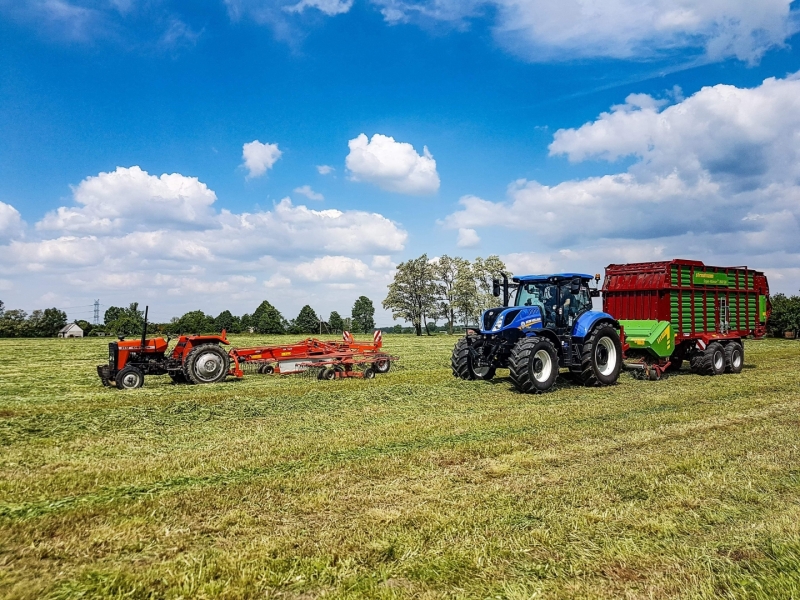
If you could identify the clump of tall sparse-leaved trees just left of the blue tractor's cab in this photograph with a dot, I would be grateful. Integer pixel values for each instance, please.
(446, 288)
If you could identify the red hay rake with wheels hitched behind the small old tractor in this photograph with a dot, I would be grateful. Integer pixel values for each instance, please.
(311, 352)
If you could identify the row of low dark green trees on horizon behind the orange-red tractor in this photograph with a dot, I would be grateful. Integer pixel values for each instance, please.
(265, 319)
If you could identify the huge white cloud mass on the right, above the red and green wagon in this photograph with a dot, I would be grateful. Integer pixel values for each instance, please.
(716, 176)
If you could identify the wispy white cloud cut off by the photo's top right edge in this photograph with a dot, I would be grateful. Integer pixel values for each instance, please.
(543, 30)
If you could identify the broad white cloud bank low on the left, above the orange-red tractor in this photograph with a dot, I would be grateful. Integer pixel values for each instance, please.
(138, 237)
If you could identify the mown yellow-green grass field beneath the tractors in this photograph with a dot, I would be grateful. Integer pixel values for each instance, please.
(410, 485)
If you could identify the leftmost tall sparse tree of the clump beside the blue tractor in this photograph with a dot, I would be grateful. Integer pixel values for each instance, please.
(412, 294)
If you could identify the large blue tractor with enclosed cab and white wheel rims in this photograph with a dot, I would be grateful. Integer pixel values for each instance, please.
(550, 326)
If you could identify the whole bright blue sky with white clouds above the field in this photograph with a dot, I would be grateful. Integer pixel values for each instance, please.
(559, 136)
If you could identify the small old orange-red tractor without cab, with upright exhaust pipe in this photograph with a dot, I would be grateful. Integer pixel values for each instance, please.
(195, 359)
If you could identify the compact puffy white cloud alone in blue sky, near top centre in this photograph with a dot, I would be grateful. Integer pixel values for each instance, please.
(392, 166)
